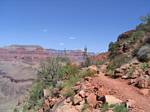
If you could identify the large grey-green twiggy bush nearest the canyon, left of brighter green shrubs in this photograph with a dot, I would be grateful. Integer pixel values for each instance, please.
(50, 72)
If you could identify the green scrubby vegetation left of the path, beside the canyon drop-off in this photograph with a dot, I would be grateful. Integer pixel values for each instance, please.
(51, 73)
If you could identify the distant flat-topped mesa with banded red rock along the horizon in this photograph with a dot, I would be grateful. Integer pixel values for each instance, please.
(35, 53)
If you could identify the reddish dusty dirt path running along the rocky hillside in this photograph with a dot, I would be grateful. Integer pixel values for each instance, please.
(125, 91)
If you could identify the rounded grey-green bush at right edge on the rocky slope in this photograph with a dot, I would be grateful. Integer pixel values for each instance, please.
(143, 53)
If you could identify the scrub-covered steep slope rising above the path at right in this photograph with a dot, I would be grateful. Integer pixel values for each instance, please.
(131, 44)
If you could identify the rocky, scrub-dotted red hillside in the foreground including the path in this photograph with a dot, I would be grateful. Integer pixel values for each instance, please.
(118, 82)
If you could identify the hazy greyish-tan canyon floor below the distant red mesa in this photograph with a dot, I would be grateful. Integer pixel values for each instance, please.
(15, 78)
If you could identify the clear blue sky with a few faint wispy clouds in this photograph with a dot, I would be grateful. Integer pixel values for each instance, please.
(68, 24)
